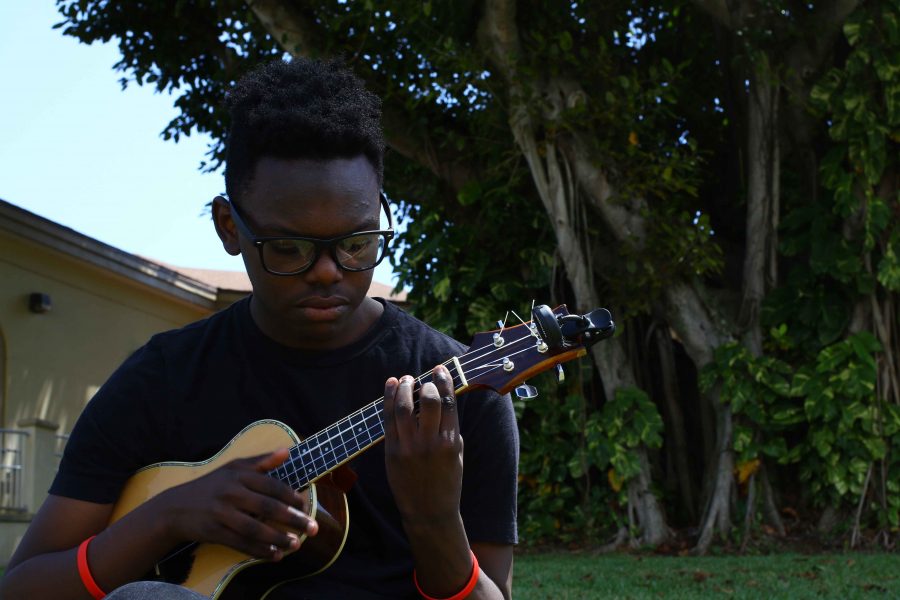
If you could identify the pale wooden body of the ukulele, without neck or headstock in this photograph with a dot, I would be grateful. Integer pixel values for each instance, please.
(220, 572)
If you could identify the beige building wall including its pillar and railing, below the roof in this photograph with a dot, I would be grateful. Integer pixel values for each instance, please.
(52, 363)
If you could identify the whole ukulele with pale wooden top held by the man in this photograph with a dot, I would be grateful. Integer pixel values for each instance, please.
(500, 360)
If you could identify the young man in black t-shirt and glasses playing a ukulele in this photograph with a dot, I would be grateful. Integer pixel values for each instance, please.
(429, 516)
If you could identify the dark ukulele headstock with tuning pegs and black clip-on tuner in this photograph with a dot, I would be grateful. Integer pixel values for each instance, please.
(504, 358)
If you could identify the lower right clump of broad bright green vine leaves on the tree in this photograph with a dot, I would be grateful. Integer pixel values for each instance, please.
(824, 416)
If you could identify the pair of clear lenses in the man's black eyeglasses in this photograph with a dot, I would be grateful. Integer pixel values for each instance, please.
(354, 253)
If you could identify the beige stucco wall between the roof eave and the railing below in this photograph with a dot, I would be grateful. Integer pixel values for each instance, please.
(55, 361)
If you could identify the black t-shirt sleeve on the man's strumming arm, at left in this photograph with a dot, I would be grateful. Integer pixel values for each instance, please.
(115, 434)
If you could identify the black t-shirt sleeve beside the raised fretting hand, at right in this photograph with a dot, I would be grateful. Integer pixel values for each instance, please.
(490, 468)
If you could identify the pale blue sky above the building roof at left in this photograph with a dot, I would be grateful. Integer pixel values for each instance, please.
(78, 150)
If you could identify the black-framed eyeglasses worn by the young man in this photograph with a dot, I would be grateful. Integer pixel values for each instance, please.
(292, 255)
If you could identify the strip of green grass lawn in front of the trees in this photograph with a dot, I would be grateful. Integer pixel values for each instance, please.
(567, 576)
